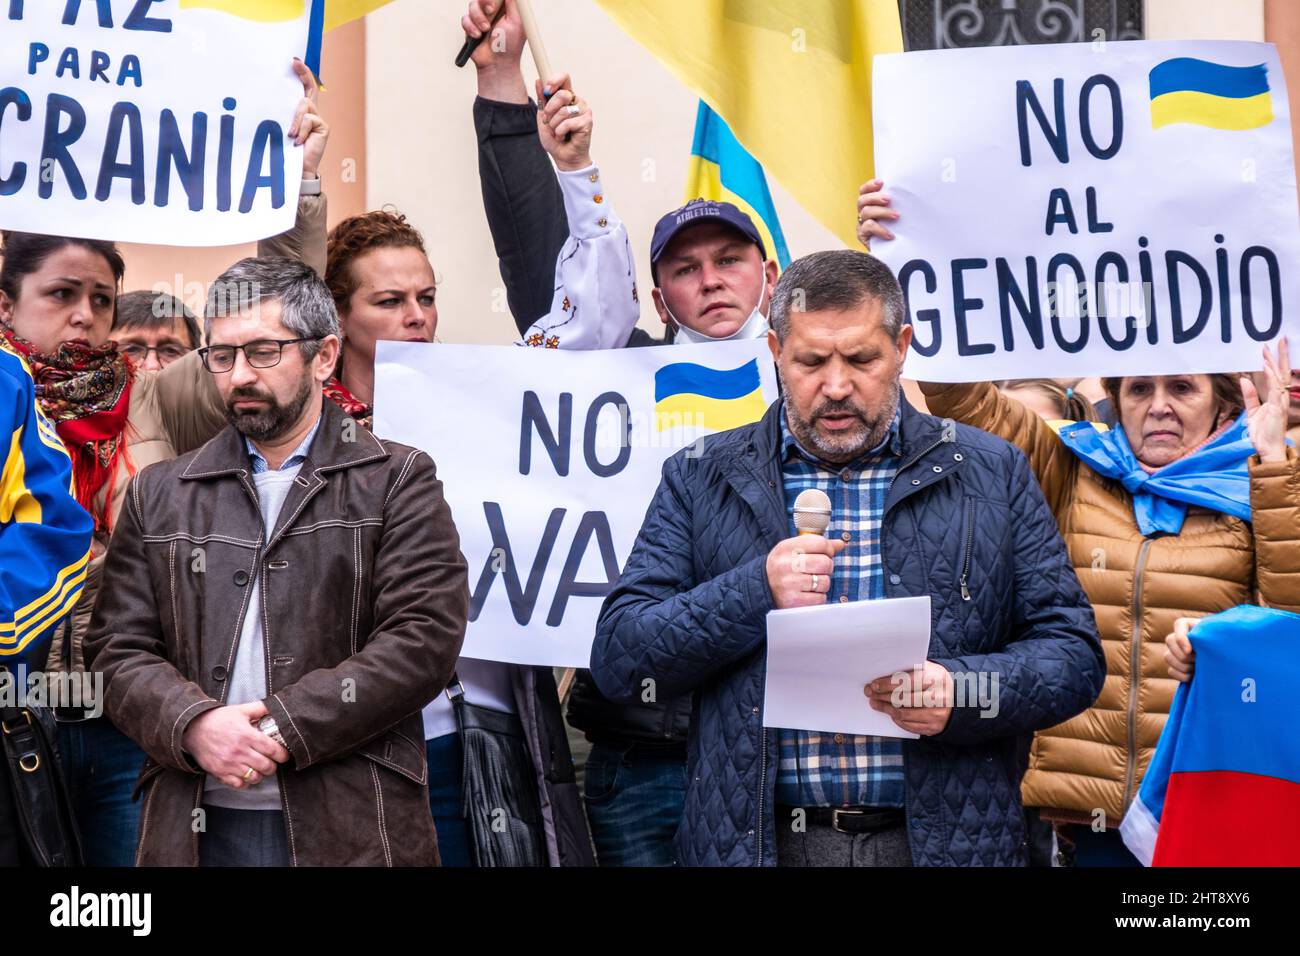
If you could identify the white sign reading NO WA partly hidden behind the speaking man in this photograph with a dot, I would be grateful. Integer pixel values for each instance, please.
(549, 461)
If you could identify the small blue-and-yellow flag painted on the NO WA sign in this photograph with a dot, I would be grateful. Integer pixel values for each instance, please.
(703, 397)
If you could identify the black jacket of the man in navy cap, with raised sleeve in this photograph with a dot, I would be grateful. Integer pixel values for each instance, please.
(526, 215)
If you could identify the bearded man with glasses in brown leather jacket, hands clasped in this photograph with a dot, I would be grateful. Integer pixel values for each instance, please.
(278, 608)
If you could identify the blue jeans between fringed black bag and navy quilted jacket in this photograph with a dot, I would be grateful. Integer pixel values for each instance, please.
(634, 804)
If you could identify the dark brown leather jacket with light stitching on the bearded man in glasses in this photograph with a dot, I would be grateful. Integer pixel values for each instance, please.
(365, 600)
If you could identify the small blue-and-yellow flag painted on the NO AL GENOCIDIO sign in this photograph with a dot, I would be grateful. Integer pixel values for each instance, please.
(1210, 94)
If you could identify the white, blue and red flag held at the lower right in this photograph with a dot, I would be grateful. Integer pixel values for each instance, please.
(1224, 788)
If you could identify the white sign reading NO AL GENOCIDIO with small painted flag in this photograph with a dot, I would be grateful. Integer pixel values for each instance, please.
(1120, 209)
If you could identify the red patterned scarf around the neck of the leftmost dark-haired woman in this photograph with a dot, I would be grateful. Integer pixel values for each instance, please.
(86, 393)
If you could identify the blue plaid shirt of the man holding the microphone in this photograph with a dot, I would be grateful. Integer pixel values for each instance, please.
(824, 769)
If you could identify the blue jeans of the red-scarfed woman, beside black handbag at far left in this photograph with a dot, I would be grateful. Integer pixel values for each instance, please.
(101, 765)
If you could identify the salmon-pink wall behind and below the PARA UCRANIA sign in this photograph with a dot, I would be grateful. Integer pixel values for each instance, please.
(188, 271)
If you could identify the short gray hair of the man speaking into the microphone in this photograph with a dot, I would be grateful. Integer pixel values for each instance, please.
(837, 280)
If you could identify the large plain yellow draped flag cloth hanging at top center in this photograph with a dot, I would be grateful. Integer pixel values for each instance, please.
(792, 79)
